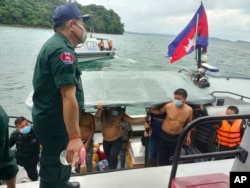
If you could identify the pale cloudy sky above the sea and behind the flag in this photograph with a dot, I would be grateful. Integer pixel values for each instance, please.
(227, 19)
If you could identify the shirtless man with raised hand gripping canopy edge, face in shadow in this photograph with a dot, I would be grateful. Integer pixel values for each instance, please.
(111, 119)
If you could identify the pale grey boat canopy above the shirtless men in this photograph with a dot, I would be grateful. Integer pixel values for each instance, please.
(139, 88)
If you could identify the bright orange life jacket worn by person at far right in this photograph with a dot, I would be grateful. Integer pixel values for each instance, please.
(229, 135)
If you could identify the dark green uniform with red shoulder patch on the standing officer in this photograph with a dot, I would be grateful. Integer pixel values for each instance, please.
(55, 68)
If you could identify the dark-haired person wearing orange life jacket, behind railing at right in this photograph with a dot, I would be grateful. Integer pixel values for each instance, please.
(230, 132)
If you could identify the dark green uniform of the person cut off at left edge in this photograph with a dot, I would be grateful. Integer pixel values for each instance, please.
(8, 166)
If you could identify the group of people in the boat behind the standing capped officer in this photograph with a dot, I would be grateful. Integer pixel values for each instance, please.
(160, 145)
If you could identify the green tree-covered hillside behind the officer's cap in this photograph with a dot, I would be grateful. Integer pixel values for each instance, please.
(38, 13)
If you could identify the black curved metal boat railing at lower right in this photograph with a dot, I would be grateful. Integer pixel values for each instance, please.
(240, 152)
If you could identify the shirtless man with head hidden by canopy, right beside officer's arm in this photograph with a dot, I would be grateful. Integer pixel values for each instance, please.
(87, 129)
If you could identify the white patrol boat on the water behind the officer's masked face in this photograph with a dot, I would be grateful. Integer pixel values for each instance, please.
(89, 51)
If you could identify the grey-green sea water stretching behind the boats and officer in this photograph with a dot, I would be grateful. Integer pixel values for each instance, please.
(20, 46)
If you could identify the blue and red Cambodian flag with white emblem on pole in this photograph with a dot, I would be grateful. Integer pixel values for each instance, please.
(195, 33)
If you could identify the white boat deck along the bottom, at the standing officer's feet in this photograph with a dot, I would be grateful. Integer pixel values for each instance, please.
(159, 176)
